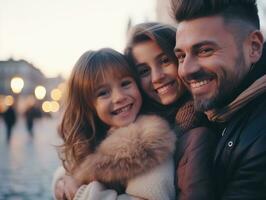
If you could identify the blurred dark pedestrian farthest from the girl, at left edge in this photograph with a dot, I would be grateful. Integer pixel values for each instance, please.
(10, 118)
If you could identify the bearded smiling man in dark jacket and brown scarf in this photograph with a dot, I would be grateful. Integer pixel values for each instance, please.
(219, 48)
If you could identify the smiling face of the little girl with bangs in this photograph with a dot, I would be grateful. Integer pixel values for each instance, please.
(117, 101)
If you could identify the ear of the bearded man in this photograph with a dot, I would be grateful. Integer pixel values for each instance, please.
(255, 45)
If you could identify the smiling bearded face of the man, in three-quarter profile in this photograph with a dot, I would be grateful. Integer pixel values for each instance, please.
(211, 62)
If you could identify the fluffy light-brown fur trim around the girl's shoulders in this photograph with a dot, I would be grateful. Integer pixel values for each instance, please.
(129, 151)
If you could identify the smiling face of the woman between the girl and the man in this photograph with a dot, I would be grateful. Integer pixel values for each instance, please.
(159, 77)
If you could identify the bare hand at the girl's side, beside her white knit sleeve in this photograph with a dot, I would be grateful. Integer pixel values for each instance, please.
(71, 186)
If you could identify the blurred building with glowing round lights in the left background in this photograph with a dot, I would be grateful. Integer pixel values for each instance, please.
(34, 87)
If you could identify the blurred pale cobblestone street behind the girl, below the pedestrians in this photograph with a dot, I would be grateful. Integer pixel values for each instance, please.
(27, 164)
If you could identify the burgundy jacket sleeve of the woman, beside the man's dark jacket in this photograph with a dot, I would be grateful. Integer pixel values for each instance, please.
(194, 156)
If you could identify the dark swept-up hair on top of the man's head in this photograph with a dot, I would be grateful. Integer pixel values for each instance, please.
(240, 10)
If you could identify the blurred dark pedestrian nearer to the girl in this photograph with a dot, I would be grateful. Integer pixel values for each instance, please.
(32, 113)
